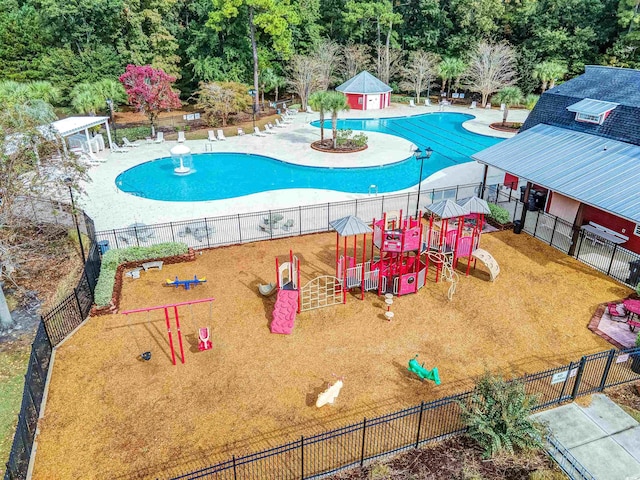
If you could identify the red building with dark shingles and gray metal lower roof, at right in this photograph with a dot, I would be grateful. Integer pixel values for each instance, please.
(580, 150)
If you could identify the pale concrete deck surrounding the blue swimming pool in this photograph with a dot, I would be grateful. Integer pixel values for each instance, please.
(112, 208)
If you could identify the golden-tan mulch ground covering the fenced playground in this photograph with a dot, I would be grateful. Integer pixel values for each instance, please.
(110, 414)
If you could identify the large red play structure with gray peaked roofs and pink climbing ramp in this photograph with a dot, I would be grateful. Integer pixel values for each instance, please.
(396, 261)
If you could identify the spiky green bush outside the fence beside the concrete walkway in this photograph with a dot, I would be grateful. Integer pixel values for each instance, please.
(497, 417)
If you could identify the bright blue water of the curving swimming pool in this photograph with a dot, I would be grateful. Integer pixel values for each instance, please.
(217, 176)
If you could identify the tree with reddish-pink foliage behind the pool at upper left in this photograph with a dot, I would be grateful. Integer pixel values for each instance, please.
(149, 90)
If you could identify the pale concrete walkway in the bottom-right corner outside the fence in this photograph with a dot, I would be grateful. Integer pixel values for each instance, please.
(602, 437)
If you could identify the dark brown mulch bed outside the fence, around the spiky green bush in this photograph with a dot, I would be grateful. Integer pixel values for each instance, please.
(455, 458)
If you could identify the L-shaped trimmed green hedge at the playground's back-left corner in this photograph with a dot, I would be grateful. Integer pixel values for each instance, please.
(113, 258)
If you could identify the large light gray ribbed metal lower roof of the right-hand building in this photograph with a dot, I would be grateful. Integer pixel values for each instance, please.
(597, 171)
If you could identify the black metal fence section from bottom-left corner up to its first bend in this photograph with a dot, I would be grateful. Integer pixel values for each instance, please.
(32, 397)
